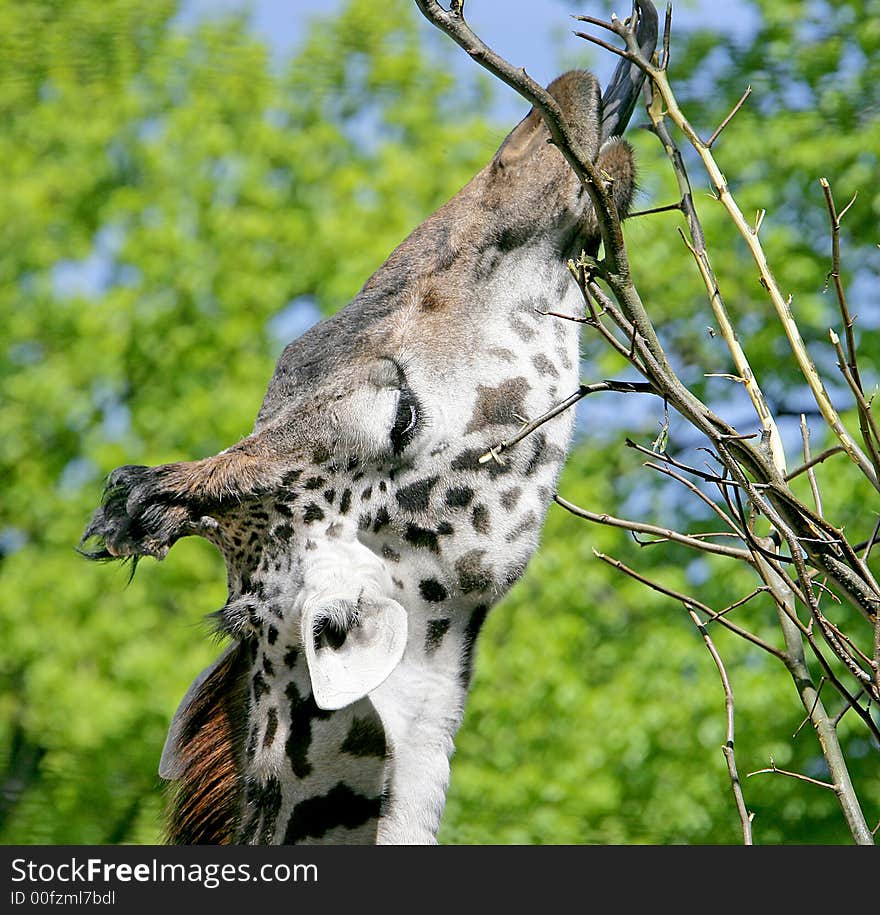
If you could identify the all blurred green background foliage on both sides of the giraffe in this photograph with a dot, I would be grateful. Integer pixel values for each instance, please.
(202, 191)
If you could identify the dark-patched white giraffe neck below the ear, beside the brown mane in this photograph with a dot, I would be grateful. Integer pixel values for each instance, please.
(376, 771)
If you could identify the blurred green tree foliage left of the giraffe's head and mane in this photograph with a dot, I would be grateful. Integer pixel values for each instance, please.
(172, 207)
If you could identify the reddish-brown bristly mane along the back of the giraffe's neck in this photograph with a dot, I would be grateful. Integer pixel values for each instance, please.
(205, 800)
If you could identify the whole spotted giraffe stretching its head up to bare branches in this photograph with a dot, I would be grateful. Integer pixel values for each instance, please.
(365, 535)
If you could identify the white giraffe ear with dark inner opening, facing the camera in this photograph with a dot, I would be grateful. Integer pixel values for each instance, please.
(351, 649)
